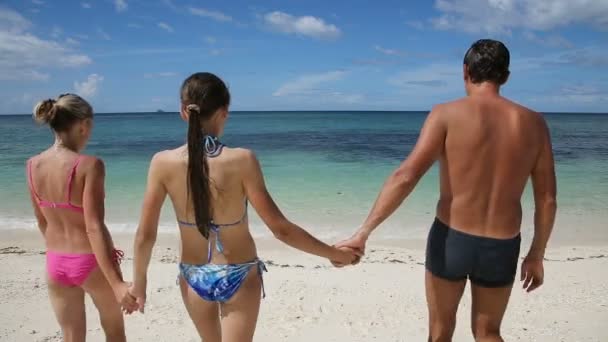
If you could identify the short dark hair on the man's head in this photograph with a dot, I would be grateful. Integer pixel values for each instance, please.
(488, 61)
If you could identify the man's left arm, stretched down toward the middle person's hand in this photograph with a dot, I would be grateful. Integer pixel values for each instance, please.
(402, 181)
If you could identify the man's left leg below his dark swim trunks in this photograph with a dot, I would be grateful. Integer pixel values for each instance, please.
(442, 297)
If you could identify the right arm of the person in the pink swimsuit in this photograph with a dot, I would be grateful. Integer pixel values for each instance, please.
(99, 236)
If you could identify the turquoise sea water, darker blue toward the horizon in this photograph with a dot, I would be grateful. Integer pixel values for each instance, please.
(323, 168)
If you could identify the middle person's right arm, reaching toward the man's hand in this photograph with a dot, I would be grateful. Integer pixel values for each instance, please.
(281, 227)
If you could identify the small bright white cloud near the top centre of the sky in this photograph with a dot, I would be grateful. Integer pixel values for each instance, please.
(305, 26)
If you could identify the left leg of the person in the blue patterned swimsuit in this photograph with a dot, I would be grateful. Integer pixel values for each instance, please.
(205, 315)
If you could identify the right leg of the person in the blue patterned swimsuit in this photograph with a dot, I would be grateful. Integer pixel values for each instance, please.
(240, 313)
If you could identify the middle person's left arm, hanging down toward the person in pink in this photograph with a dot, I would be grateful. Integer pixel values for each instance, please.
(148, 227)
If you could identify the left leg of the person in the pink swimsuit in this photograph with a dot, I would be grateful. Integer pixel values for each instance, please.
(68, 304)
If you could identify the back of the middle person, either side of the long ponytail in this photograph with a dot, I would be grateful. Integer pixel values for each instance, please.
(229, 205)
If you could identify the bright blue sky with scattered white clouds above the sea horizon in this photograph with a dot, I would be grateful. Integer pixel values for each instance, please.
(132, 55)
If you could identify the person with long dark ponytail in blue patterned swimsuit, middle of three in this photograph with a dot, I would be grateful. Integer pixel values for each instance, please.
(210, 186)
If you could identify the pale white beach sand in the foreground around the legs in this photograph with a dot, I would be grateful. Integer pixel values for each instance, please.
(382, 299)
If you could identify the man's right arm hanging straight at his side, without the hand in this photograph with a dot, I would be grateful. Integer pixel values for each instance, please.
(544, 185)
